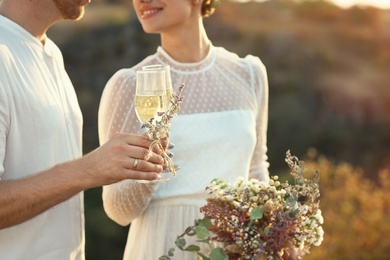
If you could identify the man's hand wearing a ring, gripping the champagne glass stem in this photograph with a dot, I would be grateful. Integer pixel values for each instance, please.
(122, 157)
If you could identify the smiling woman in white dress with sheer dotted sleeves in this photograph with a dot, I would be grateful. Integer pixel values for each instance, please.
(220, 131)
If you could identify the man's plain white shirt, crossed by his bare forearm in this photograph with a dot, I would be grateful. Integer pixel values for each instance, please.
(40, 126)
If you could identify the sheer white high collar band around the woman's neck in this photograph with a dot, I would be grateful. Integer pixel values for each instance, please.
(186, 67)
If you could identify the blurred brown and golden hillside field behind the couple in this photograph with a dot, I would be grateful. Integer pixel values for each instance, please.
(329, 78)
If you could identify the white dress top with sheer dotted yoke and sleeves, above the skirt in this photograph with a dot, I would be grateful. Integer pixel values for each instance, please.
(220, 130)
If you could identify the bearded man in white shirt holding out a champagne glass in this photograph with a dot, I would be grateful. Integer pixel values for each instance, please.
(42, 172)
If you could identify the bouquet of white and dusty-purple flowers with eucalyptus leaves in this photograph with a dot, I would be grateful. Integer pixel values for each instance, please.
(252, 219)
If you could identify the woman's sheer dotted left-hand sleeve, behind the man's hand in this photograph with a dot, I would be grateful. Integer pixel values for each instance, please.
(126, 200)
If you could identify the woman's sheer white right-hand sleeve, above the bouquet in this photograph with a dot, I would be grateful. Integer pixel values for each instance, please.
(259, 81)
